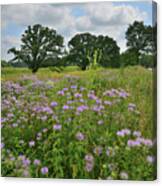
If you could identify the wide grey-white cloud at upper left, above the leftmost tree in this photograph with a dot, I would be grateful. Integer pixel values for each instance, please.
(25, 14)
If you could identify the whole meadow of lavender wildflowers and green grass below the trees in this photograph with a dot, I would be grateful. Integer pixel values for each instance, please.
(96, 124)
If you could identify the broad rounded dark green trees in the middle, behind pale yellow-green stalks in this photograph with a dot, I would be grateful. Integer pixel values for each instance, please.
(85, 49)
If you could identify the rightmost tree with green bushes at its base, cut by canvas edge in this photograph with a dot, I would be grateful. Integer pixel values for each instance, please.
(141, 43)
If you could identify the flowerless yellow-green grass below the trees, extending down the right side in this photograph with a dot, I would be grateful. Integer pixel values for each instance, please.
(136, 80)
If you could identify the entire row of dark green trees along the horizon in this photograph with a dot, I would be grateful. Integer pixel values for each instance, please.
(44, 47)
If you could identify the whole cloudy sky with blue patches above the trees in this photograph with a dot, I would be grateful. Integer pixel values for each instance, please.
(107, 18)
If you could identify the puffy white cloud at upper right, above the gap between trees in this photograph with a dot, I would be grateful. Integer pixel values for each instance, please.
(108, 13)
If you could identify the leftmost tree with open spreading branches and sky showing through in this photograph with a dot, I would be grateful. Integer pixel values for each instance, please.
(39, 44)
